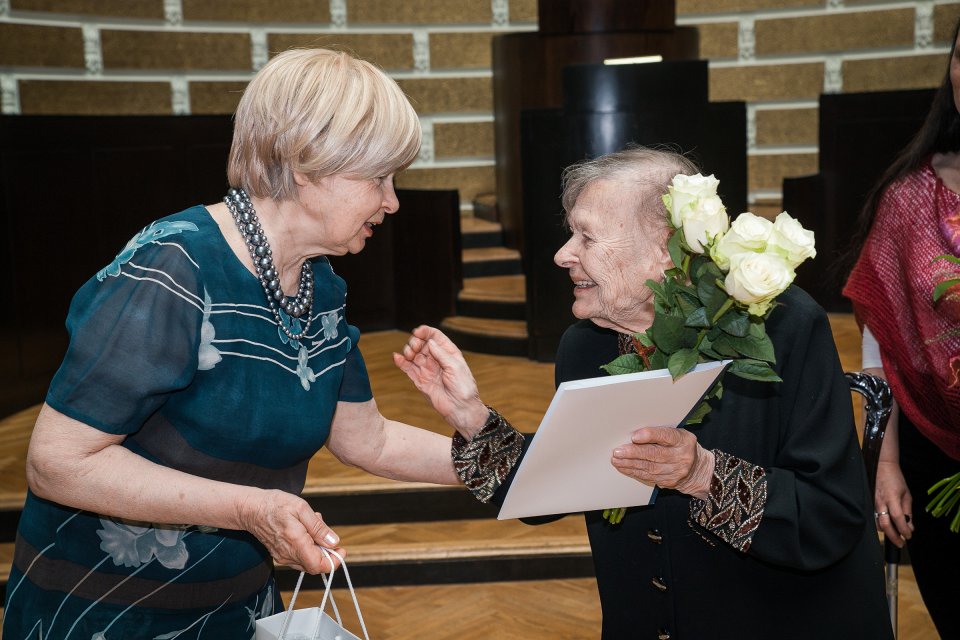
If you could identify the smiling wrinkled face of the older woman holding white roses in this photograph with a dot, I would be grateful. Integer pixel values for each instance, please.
(610, 255)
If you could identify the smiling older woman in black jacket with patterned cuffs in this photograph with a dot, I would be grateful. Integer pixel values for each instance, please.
(763, 525)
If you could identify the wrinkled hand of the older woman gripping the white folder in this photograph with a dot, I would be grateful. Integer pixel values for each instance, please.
(667, 457)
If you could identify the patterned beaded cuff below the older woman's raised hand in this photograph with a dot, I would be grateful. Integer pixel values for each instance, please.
(487, 459)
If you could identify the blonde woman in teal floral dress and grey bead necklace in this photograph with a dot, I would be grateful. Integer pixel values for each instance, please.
(165, 464)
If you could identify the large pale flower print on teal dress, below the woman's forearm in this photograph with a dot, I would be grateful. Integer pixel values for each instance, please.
(133, 545)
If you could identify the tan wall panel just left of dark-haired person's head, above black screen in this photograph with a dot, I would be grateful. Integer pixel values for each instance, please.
(887, 74)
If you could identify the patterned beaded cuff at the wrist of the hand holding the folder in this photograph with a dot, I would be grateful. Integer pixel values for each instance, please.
(734, 508)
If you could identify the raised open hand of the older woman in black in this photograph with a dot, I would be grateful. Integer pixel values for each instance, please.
(438, 369)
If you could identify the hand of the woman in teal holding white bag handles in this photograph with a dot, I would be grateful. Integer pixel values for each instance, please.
(290, 530)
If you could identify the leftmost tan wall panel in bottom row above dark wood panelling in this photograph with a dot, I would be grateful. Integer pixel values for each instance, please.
(92, 97)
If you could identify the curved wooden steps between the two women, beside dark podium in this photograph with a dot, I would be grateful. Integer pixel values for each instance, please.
(491, 308)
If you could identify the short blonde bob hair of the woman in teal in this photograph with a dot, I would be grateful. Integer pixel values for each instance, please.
(319, 112)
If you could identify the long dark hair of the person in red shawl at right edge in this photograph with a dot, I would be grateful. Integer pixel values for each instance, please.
(940, 133)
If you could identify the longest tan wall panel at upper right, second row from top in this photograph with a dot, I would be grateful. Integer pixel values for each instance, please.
(837, 32)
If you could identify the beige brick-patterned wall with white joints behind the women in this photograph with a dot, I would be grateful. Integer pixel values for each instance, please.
(194, 56)
